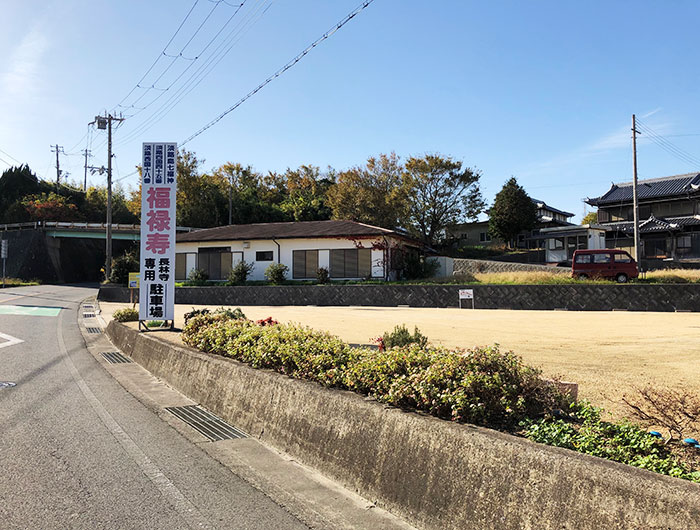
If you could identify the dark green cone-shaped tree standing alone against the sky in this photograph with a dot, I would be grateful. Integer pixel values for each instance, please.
(512, 212)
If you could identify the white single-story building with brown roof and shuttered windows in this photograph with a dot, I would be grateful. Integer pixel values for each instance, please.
(349, 250)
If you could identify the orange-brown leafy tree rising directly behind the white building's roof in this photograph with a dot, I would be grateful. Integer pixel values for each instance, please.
(374, 193)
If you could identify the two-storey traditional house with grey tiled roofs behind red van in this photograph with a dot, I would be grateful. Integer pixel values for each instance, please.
(669, 217)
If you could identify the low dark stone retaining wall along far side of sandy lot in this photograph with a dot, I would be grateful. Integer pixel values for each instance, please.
(592, 297)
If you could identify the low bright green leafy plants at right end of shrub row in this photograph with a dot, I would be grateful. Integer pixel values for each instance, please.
(581, 429)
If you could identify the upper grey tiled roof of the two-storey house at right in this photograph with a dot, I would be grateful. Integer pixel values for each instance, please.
(677, 185)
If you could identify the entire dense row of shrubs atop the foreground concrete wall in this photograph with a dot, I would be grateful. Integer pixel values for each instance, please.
(483, 386)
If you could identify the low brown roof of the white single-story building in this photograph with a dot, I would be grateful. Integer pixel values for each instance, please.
(291, 230)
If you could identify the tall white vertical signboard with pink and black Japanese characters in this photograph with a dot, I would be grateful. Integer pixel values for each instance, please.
(158, 188)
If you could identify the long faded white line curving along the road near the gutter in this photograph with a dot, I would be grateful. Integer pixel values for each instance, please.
(172, 494)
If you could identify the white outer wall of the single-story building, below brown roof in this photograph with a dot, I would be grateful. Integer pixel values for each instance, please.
(287, 247)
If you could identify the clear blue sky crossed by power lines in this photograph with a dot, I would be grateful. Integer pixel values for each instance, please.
(542, 90)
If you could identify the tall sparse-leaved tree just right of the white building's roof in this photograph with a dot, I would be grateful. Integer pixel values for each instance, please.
(440, 193)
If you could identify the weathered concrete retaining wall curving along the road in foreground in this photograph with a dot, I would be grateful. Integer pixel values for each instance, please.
(433, 473)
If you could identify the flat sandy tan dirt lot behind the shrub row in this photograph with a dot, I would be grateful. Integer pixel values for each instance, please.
(606, 353)
